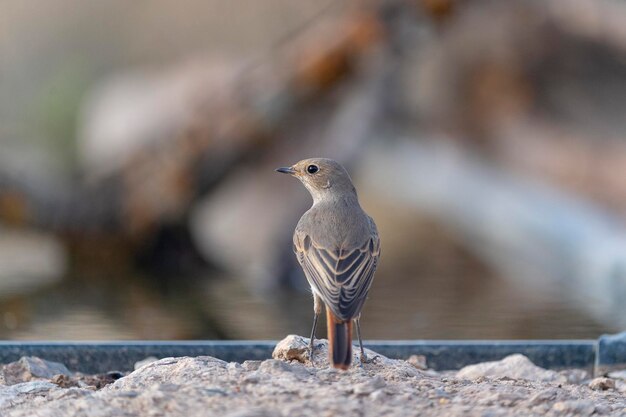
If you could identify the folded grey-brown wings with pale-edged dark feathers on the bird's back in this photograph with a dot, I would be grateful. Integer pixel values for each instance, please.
(340, 277)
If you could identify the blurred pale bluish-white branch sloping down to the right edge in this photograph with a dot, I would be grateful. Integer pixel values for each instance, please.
(531, 233)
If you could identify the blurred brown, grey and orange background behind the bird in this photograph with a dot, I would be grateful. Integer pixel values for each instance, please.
(138, 142)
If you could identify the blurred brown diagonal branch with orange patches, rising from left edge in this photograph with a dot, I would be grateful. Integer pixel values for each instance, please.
(159, 183)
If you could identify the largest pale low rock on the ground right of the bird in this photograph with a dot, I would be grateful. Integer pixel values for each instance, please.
(514, 366)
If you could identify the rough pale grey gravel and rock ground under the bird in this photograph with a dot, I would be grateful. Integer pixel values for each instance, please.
(291, 385)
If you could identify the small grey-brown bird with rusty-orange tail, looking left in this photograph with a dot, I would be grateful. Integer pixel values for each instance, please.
(338, 247)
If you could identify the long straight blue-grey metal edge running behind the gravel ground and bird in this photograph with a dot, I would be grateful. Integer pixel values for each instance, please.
(104, 356)
